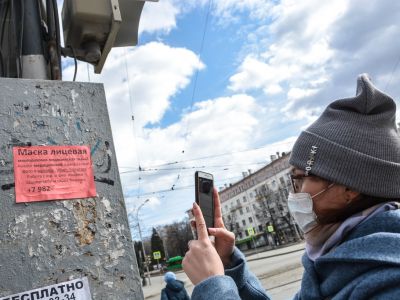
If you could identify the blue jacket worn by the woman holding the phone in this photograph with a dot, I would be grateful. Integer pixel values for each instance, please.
(366, 265)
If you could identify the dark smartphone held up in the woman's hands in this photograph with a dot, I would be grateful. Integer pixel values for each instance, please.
(204, 185)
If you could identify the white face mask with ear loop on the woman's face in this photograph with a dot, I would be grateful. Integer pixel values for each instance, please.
(301, 208)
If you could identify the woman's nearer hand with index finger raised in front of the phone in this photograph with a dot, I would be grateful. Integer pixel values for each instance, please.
(202, 260)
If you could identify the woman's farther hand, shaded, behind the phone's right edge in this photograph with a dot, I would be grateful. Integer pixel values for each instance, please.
(224, 239)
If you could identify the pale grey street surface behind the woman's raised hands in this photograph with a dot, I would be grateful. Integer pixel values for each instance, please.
(278, 270)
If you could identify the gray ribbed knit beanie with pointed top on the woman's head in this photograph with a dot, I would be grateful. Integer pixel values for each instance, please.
(355, 143)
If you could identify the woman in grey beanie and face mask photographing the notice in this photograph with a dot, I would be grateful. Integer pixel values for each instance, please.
(346, 189)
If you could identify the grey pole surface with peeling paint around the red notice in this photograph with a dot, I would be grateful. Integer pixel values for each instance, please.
(45, 243)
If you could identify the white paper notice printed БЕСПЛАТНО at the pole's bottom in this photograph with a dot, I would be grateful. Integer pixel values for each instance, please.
(77, 289)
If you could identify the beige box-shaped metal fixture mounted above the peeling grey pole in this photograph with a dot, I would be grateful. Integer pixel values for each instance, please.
(93, 27)
